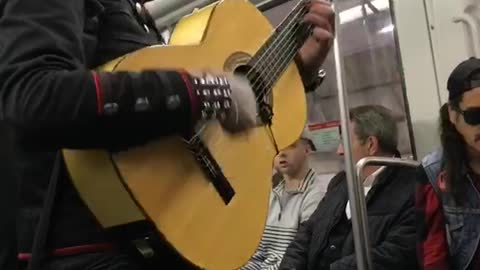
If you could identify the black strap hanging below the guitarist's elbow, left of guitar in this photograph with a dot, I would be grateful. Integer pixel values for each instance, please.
(39, 247)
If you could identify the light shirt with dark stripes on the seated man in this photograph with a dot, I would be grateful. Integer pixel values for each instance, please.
(287, 210)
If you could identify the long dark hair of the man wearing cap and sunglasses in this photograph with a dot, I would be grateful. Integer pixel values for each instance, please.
(454, 151)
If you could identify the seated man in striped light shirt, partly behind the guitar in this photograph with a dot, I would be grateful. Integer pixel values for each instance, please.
(292, 201)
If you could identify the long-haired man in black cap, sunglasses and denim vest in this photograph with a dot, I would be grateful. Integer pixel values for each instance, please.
(448, 198)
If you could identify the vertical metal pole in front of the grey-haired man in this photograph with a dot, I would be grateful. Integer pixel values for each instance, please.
(355, 188)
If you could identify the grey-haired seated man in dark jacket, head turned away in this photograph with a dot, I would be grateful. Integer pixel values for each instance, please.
(325, 241)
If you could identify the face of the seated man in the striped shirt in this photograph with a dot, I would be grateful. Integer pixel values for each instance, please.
(291, 159)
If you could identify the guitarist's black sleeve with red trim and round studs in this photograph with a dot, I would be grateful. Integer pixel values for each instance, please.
(54, 101)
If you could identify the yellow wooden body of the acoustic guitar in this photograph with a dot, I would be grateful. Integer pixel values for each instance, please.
(162, 183)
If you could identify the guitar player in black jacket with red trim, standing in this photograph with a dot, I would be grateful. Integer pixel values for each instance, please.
(51, 99)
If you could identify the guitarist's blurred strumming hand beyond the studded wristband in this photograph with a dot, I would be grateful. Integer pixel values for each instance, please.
(243, 113)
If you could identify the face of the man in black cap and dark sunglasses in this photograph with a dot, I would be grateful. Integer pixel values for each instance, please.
(469, 131)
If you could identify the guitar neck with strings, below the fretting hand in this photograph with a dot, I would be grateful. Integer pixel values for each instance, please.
(281, 47)
